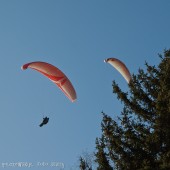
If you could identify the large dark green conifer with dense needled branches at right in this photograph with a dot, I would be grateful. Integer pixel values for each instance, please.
(140, 140)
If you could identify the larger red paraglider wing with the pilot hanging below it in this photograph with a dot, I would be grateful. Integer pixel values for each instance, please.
(55, 75)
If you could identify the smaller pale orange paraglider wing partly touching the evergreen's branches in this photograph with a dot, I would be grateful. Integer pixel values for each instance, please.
(120, 66)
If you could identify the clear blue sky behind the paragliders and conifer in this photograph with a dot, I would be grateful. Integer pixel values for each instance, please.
(75, 36)
